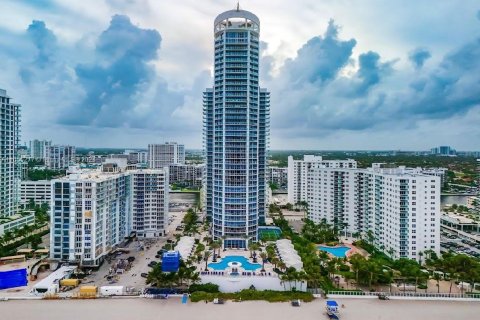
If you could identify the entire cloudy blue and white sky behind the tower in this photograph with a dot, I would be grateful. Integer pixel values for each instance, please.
(343, 74)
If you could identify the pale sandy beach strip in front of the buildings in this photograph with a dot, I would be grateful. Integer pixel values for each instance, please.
(172, 309)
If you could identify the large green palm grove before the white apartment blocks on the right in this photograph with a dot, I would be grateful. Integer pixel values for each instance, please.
(378, 268)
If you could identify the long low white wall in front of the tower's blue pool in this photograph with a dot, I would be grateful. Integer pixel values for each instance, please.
(238, 283)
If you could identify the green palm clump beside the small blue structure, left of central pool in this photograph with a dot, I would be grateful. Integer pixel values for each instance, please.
(185, 276)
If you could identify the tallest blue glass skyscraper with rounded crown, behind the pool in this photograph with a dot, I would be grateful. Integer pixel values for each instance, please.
(236, 130)
